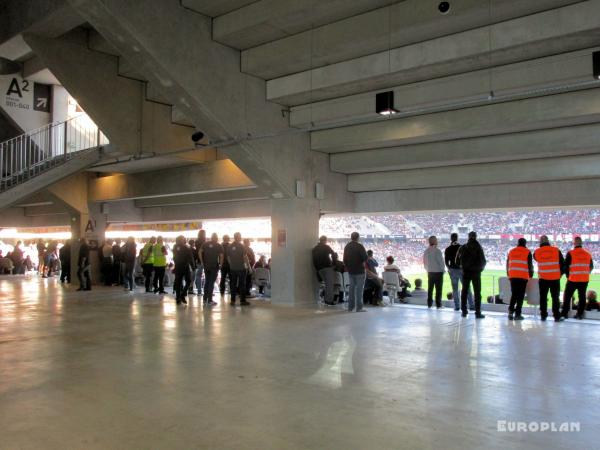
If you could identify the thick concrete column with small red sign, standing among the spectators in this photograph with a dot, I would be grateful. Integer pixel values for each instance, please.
(295, 228)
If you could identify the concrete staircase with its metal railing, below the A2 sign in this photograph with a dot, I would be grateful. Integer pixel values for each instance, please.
(39, 158)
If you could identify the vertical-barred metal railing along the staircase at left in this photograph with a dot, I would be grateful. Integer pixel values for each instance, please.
(27, 156)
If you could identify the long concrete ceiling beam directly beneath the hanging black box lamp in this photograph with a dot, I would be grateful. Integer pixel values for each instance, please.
(552, 111)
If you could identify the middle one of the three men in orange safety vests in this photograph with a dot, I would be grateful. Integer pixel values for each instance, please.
(550, 268)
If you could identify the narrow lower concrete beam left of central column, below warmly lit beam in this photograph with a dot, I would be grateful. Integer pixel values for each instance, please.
(250, 194)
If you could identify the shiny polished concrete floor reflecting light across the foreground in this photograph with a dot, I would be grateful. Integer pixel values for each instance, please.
(106, 369)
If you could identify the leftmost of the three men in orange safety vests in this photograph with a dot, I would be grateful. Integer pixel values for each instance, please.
(519, 266)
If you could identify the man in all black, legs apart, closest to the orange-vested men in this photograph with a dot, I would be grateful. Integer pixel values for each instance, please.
(471, 259)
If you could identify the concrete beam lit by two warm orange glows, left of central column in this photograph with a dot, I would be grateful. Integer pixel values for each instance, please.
(199, 178)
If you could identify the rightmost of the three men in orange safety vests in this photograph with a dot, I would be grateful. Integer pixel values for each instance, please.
(578, 266)
